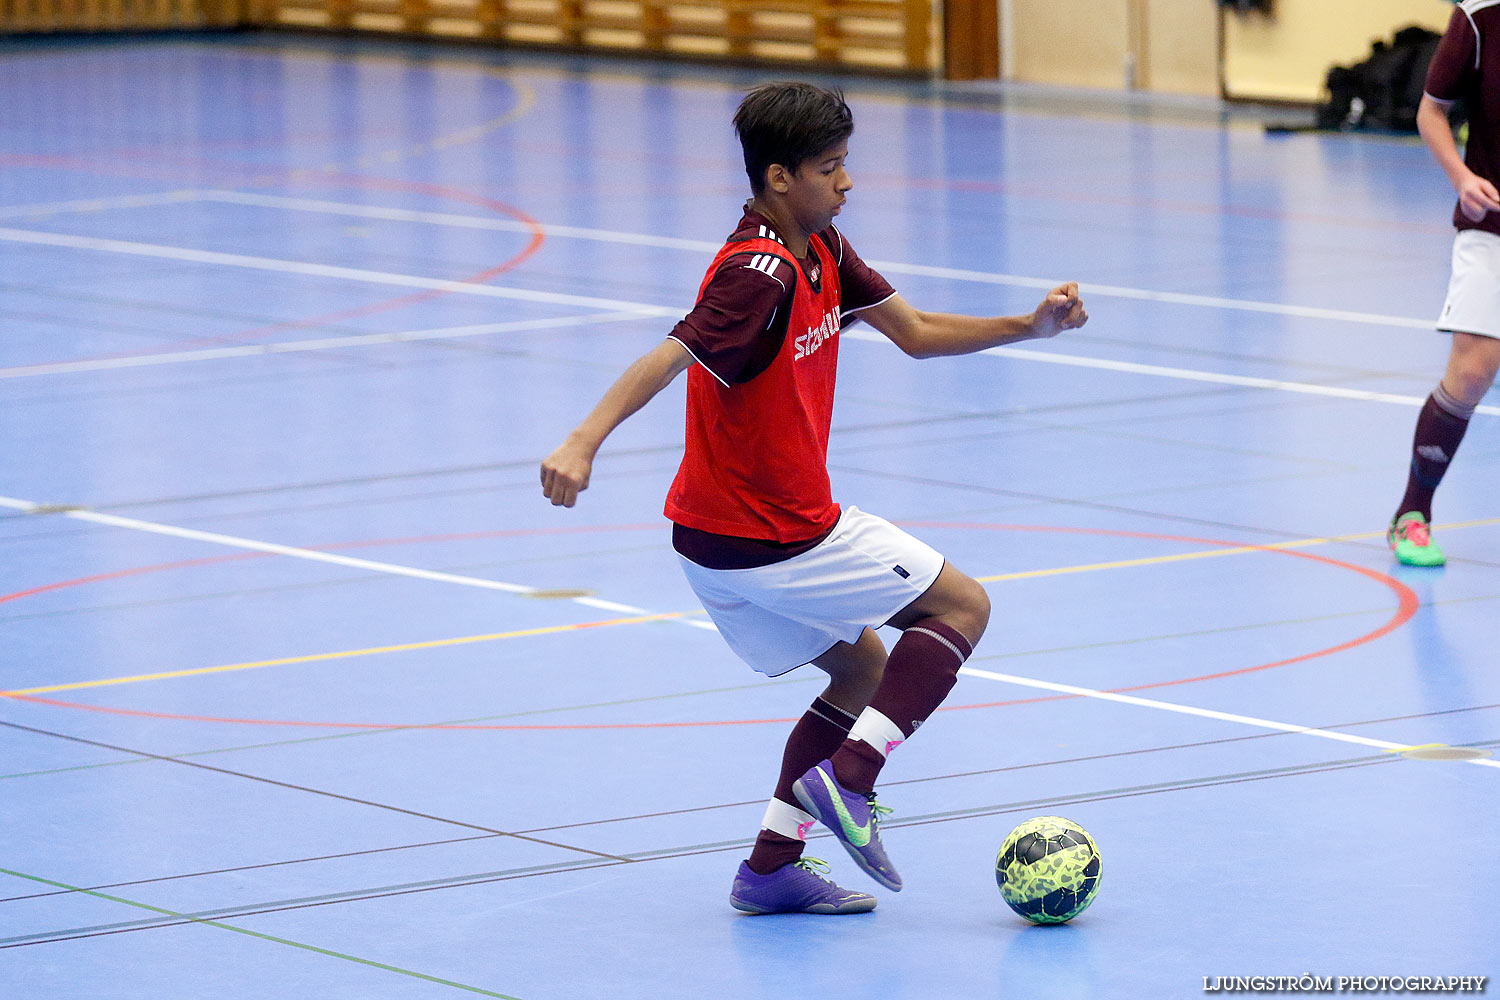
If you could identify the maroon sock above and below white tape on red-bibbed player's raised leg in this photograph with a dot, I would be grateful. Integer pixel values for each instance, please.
(919, 675)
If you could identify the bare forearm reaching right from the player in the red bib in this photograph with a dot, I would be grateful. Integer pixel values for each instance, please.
(929, 335)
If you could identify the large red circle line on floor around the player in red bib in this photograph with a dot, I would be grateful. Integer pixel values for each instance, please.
(1408, 605)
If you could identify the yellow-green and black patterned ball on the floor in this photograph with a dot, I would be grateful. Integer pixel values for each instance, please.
(1049, 870)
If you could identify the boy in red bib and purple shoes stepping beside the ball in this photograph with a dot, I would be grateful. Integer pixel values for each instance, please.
(788, 576)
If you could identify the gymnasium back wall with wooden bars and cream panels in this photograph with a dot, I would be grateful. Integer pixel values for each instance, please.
(1156, 46)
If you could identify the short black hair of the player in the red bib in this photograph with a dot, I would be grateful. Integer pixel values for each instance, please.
(788, 124)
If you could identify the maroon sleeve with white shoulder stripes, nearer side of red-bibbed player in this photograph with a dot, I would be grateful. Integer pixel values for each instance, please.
(740, 320)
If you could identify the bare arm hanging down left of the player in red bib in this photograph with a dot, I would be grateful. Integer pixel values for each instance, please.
(566, 472)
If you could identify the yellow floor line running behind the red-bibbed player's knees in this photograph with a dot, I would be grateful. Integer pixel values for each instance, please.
(437, 644)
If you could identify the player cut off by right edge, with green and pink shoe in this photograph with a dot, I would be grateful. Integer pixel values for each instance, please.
(1466, 67)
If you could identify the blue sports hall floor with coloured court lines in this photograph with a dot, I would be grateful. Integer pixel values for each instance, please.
(305, 692)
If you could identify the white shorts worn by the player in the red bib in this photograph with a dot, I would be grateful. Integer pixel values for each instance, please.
(779, 617)
